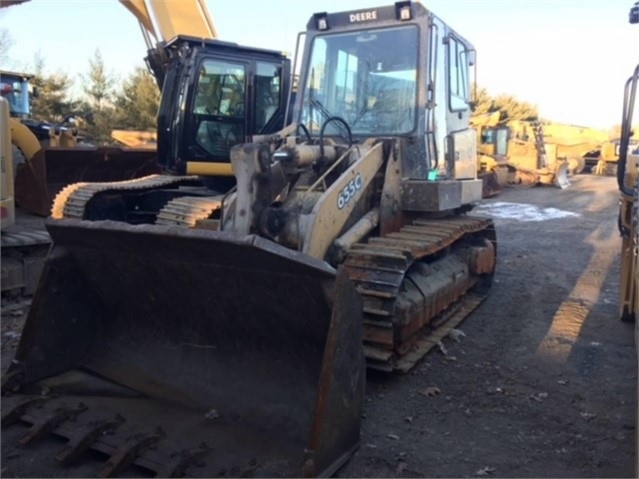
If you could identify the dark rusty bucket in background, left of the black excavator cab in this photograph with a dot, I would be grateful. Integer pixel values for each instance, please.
(41, 178)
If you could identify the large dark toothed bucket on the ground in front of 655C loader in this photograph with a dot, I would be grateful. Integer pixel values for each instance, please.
(251, 352)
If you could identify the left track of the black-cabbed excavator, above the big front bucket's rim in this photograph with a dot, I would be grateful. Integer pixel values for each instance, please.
(72, 201)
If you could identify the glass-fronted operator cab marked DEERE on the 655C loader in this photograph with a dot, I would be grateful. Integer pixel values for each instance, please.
(394, 71)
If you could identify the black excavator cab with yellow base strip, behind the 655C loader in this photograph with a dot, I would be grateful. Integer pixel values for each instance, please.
(216, 95)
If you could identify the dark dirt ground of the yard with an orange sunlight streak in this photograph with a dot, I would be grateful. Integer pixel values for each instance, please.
(542, 379)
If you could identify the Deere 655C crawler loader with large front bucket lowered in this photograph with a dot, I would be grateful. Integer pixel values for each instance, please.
(230, 327)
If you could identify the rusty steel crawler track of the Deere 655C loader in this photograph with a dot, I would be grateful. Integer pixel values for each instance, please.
(398, 330)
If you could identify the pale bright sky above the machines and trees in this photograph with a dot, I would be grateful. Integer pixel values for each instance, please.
(570, 58)
